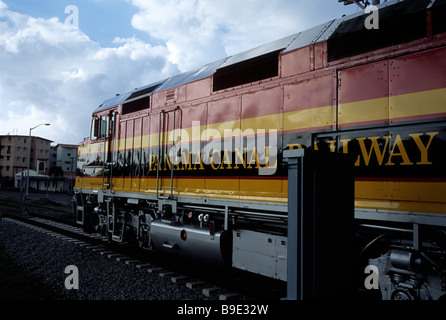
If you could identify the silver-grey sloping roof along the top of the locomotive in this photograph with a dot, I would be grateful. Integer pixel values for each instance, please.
(327, 31)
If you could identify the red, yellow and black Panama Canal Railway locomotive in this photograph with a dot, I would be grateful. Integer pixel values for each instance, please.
(193, 164)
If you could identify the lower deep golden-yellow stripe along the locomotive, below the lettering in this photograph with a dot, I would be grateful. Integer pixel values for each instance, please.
(386, 195)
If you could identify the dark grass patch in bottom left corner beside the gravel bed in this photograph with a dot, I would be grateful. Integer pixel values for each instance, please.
(18, 284)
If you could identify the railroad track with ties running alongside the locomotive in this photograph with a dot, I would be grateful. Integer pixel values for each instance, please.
(229, 285)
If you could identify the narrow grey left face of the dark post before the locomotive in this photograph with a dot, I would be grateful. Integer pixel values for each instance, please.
(295, 209)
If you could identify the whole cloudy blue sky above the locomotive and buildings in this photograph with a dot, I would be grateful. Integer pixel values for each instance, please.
(60, 59)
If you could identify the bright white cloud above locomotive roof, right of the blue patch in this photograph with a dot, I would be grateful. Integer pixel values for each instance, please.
(198, 30)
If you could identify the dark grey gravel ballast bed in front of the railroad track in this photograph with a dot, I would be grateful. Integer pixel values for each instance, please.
(100, 278)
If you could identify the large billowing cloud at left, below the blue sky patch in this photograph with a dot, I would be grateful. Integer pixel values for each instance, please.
(54, 73)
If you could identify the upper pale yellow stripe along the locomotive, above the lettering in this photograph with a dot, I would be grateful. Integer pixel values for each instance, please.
(407, 105)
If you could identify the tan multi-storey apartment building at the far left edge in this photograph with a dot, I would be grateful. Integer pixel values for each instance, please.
(14, 155)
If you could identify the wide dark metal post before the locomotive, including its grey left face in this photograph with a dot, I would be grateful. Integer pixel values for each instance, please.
(316, 181)
